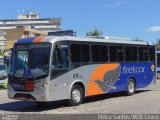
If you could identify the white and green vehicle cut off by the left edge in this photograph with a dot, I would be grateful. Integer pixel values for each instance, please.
(3, 76)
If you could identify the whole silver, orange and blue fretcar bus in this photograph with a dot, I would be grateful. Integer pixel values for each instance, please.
(54, 68)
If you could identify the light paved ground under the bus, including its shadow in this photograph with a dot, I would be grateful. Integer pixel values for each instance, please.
(144, 101)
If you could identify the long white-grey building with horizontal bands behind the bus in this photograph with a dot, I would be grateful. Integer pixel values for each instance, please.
(33, 21)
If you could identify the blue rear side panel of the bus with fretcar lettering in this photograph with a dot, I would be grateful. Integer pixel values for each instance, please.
(142, 72)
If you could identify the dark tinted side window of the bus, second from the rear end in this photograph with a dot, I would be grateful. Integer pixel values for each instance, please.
(143, 53)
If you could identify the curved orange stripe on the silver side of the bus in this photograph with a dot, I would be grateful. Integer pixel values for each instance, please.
(98, 74)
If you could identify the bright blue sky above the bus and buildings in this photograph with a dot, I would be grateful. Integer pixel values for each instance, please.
(138, 19)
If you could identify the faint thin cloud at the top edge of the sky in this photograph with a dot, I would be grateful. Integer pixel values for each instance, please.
(115, 5)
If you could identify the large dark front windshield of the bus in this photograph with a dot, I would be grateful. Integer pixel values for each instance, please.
(30, 60)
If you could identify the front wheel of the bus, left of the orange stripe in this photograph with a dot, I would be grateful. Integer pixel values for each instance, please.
(76, 97)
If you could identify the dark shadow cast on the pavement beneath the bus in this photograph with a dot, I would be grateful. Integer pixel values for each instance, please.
(26, 106)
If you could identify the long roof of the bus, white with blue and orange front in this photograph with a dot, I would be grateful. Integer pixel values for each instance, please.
(107, 39)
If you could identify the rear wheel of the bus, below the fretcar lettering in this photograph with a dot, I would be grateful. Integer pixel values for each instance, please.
(131, 87)
